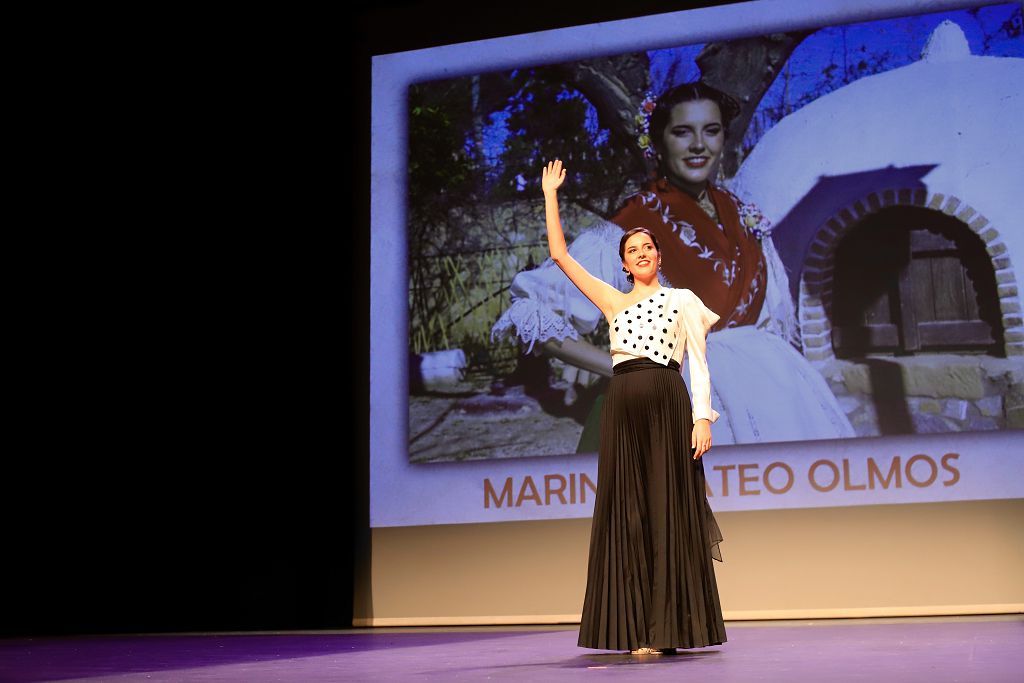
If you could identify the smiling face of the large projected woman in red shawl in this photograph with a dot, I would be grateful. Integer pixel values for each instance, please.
(693, 144)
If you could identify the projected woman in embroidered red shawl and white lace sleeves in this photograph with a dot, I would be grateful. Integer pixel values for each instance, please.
(718, 247)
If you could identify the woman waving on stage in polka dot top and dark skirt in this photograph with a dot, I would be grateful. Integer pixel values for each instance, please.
(651, 584)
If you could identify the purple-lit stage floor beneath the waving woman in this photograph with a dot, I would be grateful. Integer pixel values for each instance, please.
(954, 649)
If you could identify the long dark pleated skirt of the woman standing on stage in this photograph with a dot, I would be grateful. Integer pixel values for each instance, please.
(651, 580)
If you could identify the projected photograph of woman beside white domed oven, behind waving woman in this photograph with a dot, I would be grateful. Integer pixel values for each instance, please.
(858, 236)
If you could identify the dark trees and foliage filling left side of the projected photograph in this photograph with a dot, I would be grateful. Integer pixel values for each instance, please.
(473, 226)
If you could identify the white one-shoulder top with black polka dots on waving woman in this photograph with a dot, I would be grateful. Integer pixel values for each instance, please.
(662, 328)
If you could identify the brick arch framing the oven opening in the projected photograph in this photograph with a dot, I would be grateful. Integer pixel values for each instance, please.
(815, 310)
